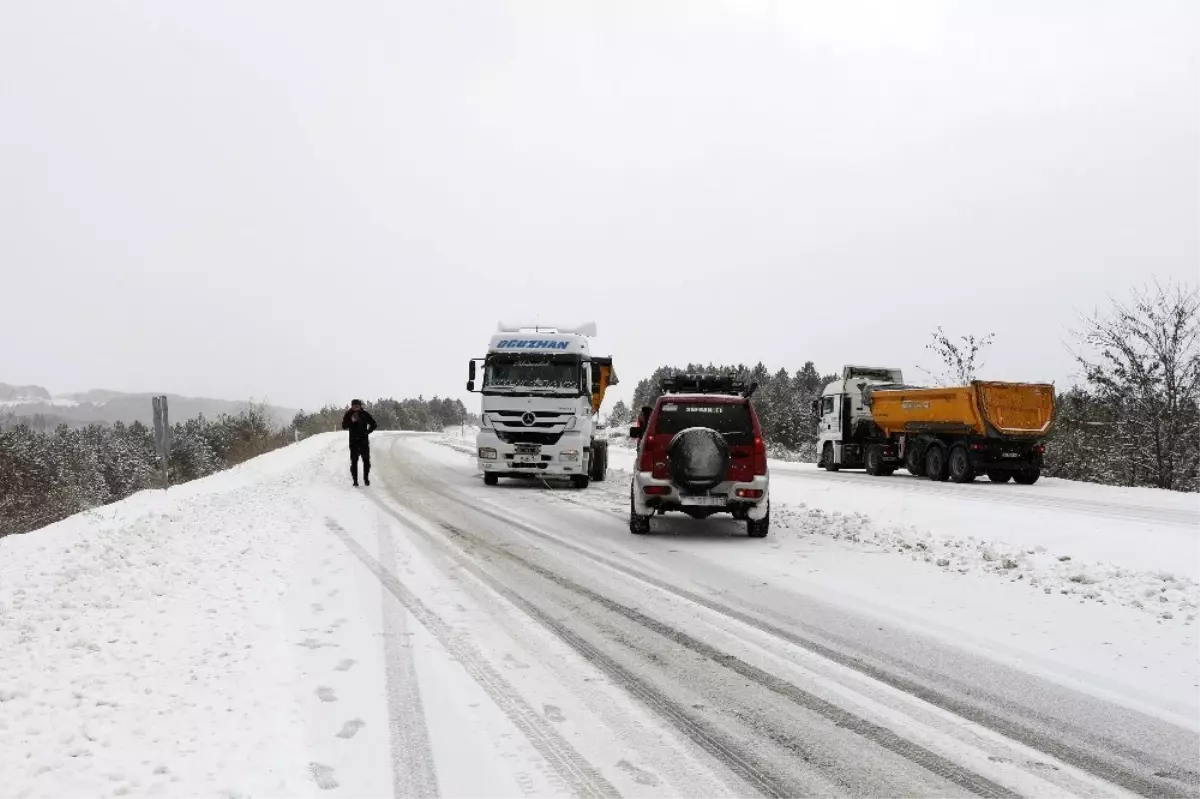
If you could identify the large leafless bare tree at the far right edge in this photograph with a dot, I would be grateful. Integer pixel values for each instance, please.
(1143, 363)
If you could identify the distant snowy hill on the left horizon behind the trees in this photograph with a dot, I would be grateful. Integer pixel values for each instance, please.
(39, 408)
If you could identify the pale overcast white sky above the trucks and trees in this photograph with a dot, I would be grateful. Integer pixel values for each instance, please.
(309, 202)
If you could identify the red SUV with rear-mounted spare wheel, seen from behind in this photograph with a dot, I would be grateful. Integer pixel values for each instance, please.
(701, 453)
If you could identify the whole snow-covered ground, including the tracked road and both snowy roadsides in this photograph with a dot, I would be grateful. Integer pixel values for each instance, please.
(274, 633)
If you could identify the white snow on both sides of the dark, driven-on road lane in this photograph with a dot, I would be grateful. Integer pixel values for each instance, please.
(227, 639)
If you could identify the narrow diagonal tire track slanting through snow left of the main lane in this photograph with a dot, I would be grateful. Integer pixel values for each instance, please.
(581, 778)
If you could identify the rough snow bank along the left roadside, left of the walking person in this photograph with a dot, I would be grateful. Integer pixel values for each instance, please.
(141, 644)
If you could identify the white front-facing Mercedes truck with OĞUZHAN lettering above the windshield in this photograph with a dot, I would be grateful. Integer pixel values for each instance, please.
(542, 392)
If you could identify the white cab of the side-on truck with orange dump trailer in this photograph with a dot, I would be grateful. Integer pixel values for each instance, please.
(844, 413)
